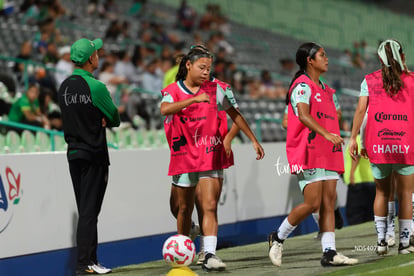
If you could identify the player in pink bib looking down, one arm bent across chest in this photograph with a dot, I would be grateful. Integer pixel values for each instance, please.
(192, 105)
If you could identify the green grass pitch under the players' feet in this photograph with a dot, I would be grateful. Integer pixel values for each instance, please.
(301, 256)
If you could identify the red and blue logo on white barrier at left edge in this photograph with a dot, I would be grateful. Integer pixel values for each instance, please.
(10, 194)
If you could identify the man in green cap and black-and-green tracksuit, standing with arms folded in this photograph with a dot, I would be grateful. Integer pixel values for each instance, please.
(87, 108)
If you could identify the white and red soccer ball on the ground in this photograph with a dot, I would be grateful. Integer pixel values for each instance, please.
(178, 250)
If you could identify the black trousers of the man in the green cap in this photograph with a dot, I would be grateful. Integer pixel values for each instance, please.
(89, 183)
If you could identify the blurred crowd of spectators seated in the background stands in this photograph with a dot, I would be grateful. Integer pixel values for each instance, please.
(135, 68)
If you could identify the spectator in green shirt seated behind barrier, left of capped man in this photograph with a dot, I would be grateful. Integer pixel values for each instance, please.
(26, 109)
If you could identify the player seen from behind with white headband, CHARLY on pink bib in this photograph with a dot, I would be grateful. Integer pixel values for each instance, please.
(388, 93)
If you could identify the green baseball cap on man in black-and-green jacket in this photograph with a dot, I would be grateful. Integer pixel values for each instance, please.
(83, 48)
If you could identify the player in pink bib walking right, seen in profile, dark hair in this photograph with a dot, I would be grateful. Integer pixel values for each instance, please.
(314, 148)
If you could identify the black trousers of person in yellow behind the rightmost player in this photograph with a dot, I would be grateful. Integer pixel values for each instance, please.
(360, 203)
